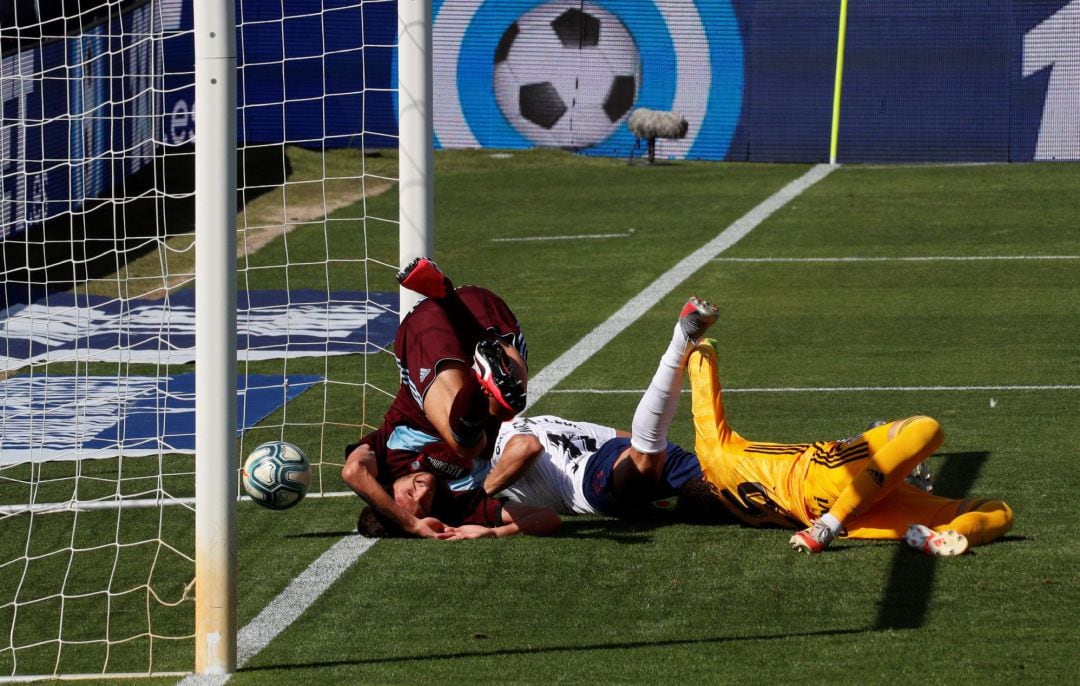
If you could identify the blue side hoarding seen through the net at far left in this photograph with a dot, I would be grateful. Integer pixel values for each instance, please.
(78, 116)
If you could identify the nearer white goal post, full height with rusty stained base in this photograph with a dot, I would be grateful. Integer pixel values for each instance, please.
(215, 26)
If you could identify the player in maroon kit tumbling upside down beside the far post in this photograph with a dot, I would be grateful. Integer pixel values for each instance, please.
(463, 359)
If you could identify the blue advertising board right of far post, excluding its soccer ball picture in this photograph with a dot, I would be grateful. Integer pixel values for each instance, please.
(924, 80)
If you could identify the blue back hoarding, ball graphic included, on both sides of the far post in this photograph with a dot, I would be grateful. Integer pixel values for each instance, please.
(971, 80)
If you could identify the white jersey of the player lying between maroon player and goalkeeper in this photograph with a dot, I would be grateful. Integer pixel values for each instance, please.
(557, 478)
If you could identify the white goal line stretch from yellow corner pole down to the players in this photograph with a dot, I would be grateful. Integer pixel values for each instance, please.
(559, 370)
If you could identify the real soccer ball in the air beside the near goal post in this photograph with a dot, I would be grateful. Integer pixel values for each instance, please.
(277, 475)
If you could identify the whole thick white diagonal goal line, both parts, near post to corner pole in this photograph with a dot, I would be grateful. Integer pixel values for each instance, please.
(326, 571)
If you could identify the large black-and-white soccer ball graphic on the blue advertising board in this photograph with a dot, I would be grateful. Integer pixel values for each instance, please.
(566, 74)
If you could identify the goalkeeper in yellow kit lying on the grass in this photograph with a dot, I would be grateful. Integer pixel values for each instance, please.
(856, 487)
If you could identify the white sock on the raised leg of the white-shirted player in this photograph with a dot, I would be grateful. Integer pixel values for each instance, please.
(657, 408)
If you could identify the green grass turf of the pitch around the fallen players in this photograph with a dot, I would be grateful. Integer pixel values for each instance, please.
(612, 602)
